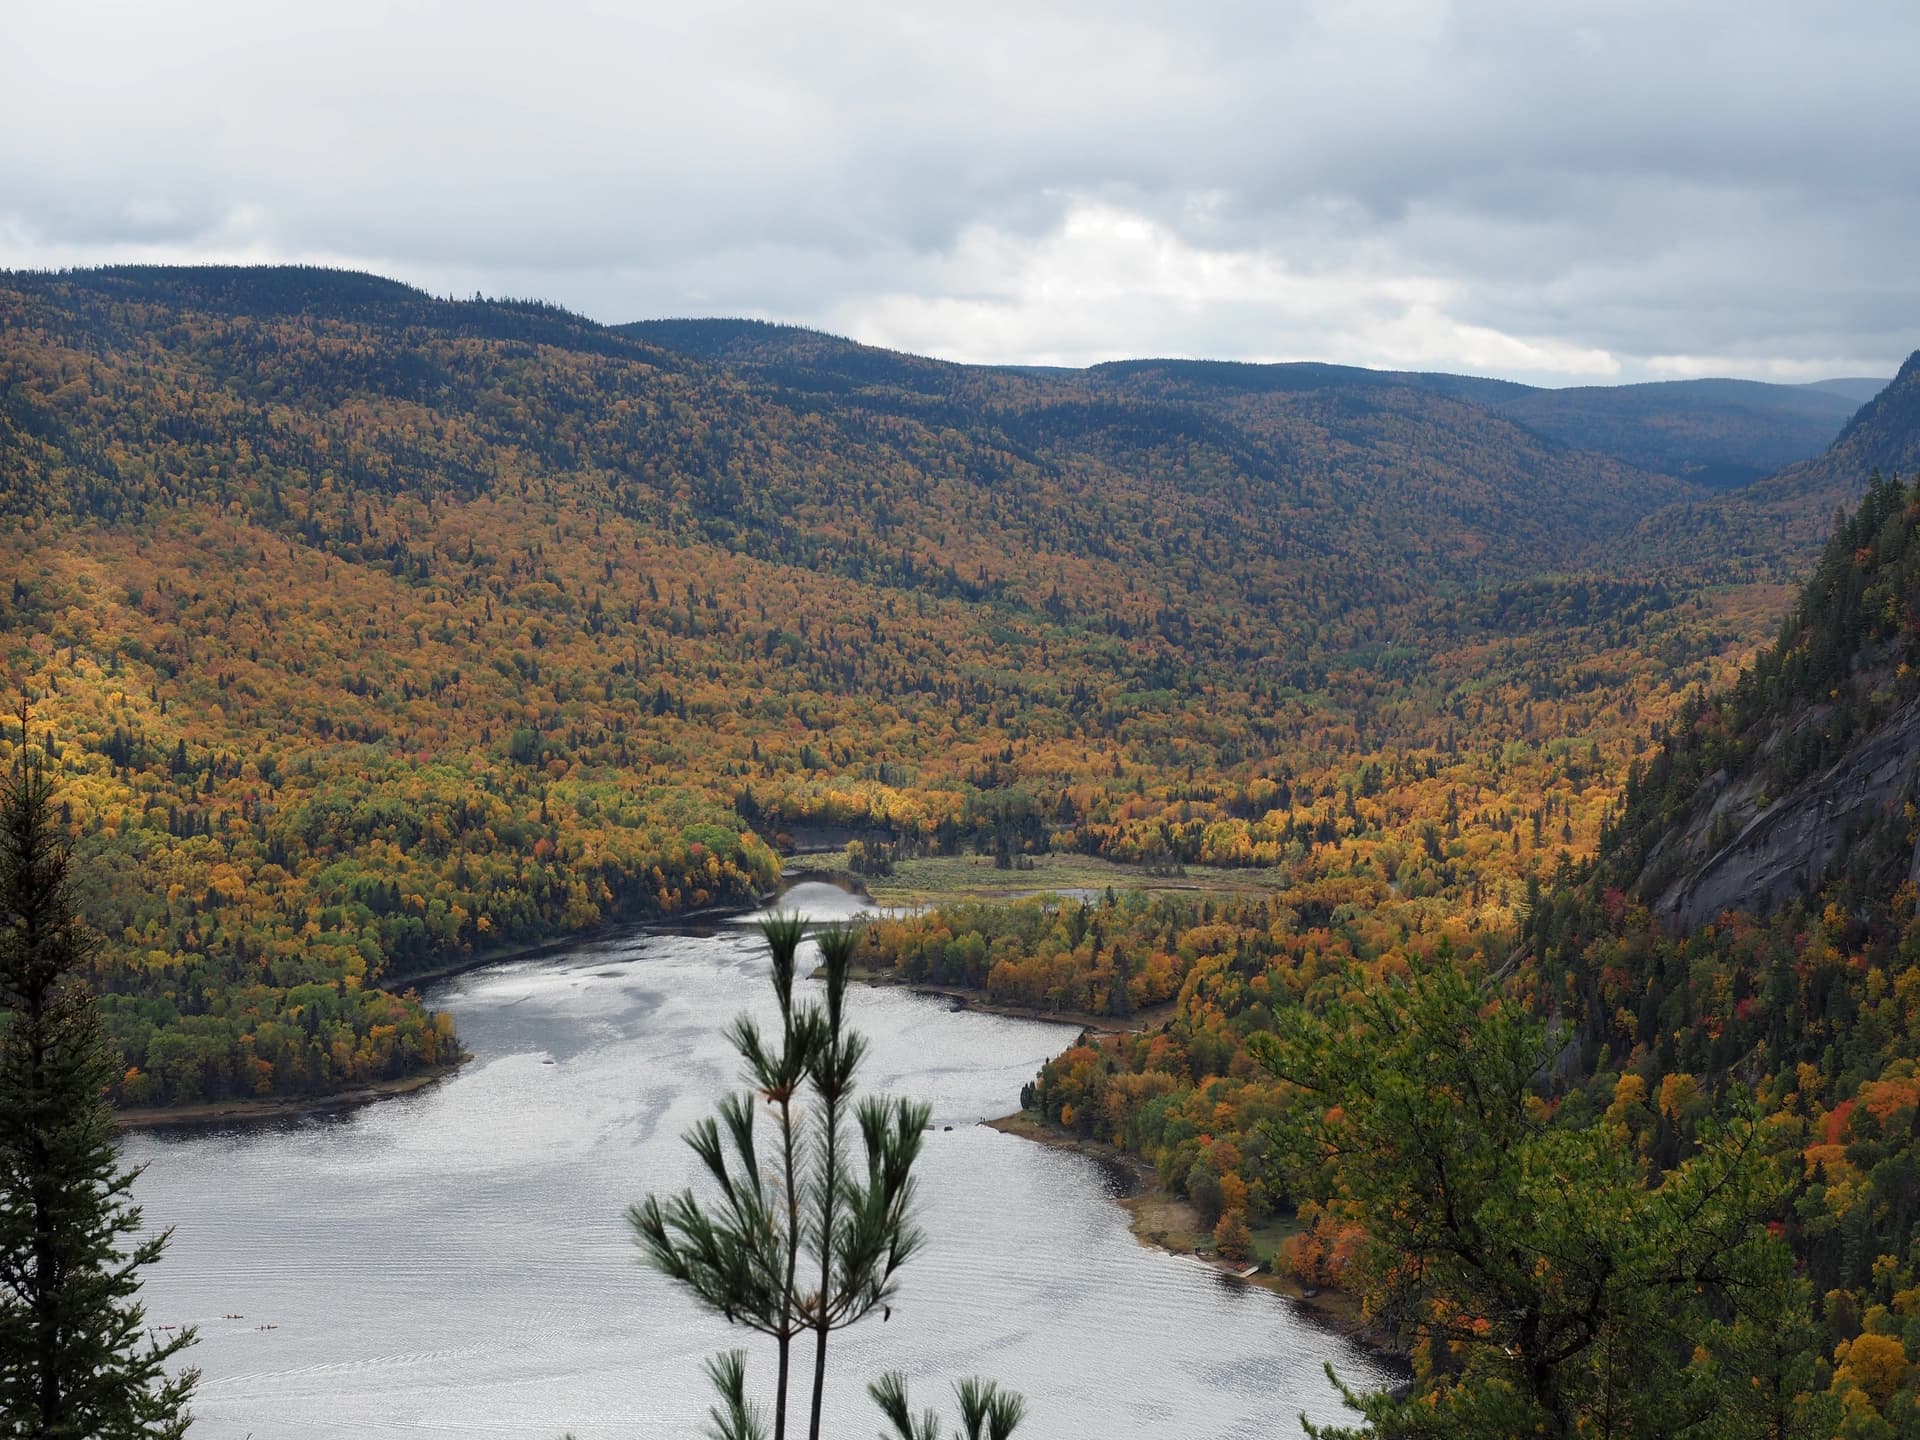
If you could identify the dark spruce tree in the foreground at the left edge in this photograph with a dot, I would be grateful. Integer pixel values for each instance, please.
(78, 1360)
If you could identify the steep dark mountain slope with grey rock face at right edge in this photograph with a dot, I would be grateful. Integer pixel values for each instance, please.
(1748, 932)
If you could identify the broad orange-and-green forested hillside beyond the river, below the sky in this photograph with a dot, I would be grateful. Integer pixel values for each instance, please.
(377, 631)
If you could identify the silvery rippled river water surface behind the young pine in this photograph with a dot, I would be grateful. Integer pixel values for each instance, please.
(454, 1262)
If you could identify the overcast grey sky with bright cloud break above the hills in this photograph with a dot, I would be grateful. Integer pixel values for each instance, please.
(1562, 191)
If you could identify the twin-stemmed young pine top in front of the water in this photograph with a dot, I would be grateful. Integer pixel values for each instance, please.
(809, 1239)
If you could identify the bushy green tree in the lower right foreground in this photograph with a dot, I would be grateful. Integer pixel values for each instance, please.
(1543, 1280)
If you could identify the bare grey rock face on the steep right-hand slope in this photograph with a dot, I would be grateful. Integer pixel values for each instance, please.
(1783, 848)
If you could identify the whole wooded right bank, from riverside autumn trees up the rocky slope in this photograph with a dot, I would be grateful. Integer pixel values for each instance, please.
(1788, 996)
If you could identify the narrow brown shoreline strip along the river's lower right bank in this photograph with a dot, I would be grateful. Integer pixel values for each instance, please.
(1166, 1222)
